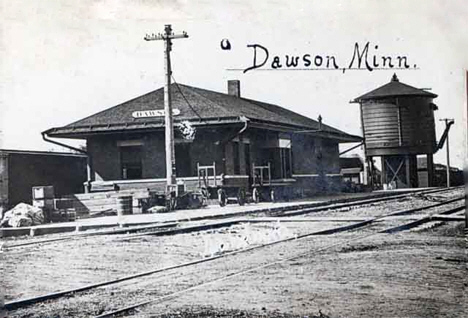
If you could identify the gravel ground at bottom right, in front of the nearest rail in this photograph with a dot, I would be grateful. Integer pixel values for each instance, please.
(420, 274)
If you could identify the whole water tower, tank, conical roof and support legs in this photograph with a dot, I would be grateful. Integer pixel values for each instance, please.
(398, 124)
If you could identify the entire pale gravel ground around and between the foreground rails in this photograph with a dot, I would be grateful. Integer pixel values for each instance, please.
(311, 286)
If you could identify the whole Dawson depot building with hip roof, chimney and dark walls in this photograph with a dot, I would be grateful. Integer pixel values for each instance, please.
(221, 140)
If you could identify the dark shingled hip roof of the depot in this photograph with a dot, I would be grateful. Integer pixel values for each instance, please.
(199, 106)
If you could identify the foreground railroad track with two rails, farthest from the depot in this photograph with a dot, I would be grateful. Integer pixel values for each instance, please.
(357, 225)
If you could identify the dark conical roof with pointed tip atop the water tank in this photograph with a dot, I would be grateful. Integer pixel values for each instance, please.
(394, 88)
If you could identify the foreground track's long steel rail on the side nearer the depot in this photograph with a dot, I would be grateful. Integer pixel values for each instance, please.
(29, 301)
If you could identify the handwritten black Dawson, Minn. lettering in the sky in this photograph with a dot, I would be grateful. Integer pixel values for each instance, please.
(362, 58)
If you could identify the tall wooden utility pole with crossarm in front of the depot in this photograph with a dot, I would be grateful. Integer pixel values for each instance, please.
(168, 122)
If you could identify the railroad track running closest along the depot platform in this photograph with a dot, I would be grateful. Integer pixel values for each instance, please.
(171, 228)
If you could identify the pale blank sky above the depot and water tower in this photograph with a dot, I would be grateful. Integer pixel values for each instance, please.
(65, 60)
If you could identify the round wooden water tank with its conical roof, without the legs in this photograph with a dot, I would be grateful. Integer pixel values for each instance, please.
(398, 119)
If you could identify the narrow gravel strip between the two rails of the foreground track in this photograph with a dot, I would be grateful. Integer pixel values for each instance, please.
(112, 297)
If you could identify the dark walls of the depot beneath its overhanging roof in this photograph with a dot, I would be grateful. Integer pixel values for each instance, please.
(314, 159)
